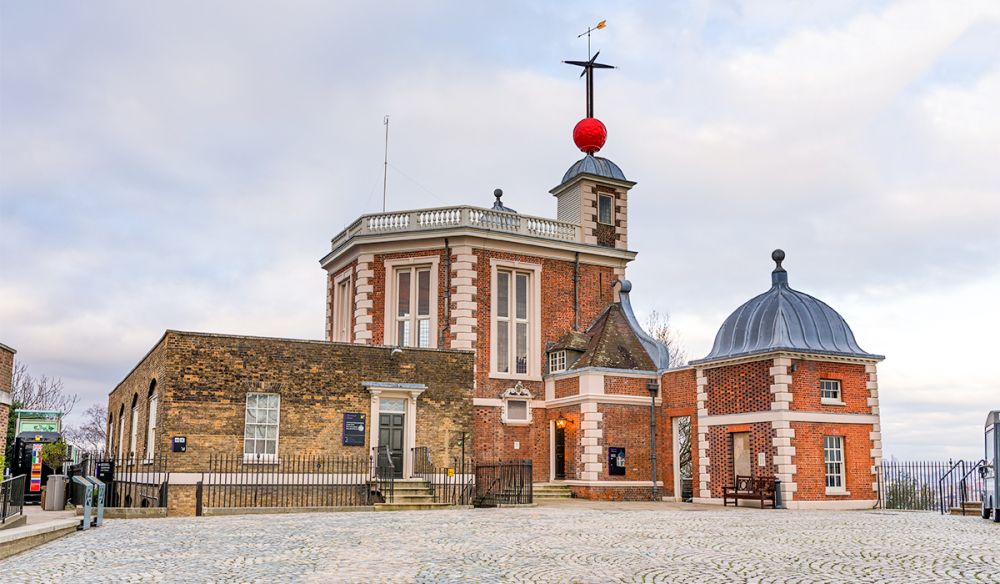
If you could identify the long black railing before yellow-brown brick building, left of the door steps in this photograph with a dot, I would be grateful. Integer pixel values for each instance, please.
(238, 481)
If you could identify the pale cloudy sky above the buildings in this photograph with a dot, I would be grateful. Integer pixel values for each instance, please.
(184, 165)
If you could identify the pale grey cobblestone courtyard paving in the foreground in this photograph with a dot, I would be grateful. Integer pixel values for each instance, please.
(594, 543)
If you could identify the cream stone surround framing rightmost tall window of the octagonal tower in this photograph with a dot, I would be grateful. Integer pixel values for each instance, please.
(534, 272)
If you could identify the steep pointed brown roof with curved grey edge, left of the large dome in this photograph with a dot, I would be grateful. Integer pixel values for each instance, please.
(614, 340)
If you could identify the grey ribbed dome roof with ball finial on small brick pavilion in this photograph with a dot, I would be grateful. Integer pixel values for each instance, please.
(784, 319)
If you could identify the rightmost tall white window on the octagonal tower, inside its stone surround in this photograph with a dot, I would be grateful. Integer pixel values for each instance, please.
(512, 322)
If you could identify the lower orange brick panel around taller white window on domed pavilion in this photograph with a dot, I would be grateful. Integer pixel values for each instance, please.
(810, 469)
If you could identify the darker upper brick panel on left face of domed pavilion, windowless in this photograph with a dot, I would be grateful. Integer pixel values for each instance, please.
(740, 388)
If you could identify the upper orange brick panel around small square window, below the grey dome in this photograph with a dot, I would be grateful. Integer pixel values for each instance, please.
(853, 386)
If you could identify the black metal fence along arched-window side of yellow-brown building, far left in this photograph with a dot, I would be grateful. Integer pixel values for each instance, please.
(131, 481)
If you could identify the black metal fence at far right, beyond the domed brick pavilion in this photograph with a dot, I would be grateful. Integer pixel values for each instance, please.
(929, 485)
